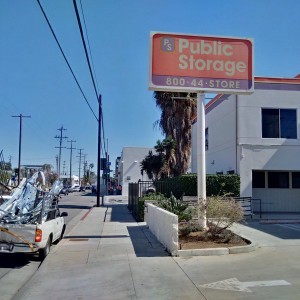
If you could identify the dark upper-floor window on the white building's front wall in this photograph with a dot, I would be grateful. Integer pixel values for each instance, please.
(279, 123)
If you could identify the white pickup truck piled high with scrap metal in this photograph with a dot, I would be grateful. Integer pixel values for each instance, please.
(31, 221)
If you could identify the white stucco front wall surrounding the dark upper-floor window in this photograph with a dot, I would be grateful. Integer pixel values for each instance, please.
(256, 153)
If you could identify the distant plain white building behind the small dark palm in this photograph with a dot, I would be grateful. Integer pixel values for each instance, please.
(129, 166)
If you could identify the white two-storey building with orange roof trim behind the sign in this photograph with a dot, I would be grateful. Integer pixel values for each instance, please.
(258, 137)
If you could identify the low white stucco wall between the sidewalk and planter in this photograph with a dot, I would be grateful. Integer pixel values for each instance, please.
(164, 225)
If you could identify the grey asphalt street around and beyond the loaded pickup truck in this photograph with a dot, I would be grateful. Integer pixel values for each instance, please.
(17, 269)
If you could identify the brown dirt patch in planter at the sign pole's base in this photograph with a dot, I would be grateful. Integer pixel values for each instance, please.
(201, 240)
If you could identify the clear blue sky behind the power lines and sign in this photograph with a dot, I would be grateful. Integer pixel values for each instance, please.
(35, 80)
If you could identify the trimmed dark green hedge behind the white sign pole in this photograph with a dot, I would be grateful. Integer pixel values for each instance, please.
(216, 185)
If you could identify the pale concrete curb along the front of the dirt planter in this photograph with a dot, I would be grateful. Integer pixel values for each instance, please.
(216, 251)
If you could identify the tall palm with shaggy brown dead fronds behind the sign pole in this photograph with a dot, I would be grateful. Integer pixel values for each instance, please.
(177, 112)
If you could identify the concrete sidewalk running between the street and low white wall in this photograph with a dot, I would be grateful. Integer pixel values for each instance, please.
(107, 255)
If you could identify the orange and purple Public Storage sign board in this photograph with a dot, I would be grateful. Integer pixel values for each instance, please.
(201, 63)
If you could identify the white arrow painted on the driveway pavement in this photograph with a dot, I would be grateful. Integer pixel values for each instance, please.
(233, 284)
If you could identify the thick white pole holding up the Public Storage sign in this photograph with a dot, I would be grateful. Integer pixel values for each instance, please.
(201, 167)
